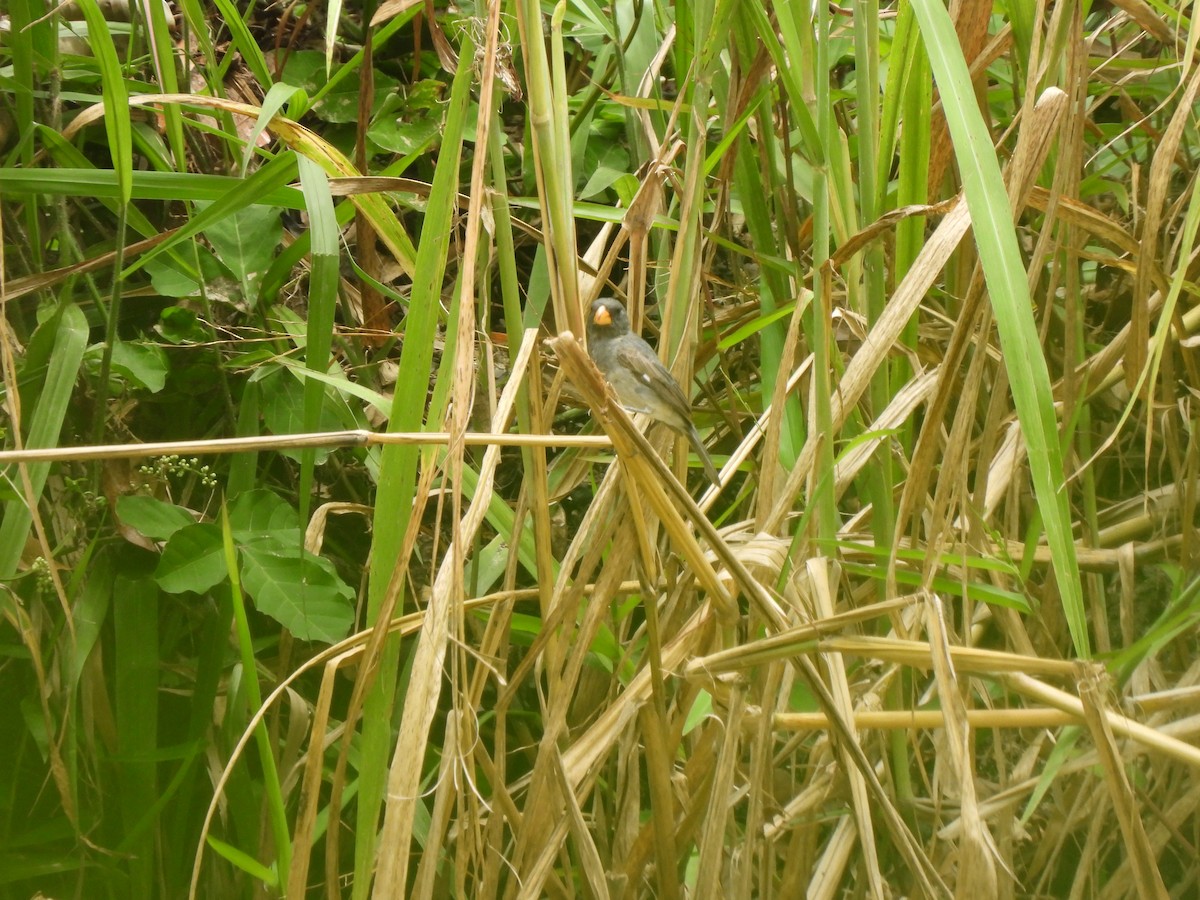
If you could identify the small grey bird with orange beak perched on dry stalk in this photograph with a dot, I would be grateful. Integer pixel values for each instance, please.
(640, 381)
